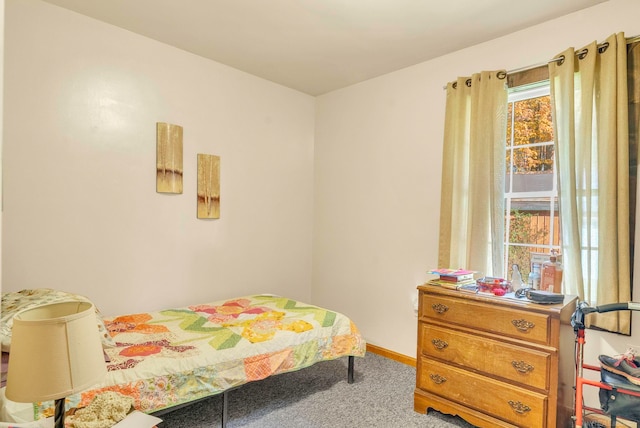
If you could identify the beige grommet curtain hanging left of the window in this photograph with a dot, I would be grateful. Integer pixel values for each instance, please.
(472, 200)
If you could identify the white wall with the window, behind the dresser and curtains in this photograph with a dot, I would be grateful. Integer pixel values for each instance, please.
(378, 168)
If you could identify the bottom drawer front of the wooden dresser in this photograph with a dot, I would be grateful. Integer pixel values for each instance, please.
(512, 404)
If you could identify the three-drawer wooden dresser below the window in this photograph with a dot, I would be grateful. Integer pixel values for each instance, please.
(495, 361)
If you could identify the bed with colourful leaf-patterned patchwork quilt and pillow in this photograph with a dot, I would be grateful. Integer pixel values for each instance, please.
(172, 357)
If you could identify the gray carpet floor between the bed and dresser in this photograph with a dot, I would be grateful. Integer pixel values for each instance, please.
(319, 397)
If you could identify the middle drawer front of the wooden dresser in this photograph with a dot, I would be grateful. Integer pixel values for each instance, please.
(514, 363)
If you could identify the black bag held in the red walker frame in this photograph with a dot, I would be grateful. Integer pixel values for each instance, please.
(616, 403)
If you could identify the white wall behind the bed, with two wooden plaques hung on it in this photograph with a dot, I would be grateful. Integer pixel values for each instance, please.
(81, 213)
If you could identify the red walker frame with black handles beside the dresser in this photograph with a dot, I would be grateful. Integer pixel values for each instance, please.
(577, 321)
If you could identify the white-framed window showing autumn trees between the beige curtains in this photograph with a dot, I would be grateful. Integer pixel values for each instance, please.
(532, 223)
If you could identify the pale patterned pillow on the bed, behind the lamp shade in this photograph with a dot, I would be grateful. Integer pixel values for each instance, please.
(15, 302)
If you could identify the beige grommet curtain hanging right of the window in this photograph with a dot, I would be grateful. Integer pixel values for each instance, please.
(590, 113)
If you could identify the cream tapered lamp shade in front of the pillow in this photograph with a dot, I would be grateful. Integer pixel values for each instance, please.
(55, 351)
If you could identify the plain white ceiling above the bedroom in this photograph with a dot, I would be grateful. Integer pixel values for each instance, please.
(316, 46)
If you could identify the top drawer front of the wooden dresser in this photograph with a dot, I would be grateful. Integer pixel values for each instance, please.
(529, 326)
